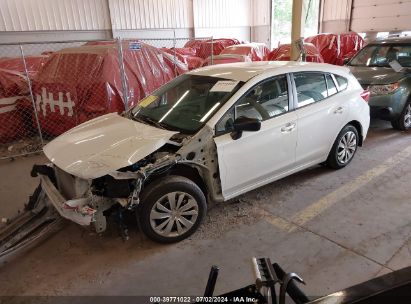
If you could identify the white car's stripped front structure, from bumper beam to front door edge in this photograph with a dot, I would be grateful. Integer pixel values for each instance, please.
(91, 201)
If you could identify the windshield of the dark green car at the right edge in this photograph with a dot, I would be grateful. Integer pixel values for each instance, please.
(382, 55)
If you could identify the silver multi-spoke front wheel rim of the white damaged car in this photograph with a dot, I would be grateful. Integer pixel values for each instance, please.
(174, 214)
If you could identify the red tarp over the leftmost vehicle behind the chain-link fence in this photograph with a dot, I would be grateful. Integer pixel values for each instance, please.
(14, 90)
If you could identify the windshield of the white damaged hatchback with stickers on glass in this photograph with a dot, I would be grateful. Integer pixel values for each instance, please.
(185, 103)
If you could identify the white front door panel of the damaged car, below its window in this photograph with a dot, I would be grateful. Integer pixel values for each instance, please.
(256, 156)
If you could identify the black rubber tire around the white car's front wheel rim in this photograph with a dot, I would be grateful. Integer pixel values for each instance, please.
(156, 192)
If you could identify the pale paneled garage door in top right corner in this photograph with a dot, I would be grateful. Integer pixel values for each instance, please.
(381, 15)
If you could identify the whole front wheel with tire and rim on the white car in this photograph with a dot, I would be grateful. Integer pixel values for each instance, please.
(171, 209)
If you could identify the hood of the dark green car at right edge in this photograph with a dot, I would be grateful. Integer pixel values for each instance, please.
(376, 75)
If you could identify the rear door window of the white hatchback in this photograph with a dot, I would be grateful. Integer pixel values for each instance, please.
(311, 87)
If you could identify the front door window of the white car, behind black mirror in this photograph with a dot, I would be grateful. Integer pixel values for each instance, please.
(264, 101)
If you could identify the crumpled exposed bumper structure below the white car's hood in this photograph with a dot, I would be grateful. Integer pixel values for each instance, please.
(90, 202)
